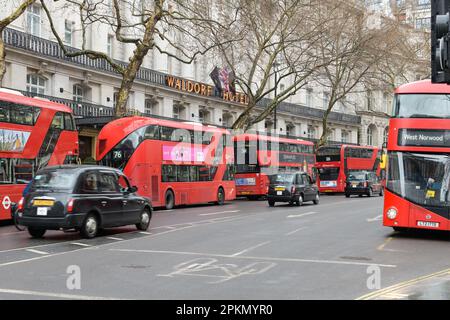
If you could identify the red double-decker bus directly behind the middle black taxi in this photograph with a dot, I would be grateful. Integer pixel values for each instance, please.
(257, 155)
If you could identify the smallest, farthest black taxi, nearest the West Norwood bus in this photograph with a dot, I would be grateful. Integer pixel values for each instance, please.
(363, 183)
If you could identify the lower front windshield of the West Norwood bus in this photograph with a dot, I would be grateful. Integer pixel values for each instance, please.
(421, 178)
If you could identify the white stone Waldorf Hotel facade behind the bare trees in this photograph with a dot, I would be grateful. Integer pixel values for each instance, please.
(36, 64)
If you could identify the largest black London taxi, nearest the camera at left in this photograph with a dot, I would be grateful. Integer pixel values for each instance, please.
(84, 198)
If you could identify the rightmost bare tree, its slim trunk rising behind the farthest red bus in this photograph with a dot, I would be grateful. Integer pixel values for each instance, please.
(356, 43)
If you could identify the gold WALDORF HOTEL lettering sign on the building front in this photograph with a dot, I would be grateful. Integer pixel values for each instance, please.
(204, 90)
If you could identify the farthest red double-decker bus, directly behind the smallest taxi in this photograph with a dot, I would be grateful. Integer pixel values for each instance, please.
(335, 162)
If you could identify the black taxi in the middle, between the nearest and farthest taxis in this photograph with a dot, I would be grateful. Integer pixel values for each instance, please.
(293, 188)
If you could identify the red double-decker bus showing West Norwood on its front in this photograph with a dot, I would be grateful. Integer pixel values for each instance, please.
(418, 167)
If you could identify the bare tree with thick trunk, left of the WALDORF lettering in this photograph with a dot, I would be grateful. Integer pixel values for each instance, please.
(140, 23)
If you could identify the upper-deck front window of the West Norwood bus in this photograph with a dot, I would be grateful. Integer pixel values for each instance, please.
(414, 106)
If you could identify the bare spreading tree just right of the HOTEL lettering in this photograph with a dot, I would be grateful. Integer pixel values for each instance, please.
(270, 34)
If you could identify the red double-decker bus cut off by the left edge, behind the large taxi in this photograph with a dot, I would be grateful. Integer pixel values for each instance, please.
(34, 133)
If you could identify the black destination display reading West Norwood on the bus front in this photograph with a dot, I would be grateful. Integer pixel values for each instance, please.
(424, 138)
